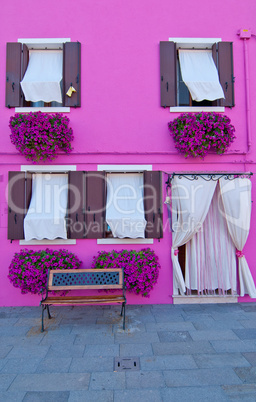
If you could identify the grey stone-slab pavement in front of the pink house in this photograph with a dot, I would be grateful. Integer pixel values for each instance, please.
(185, 353)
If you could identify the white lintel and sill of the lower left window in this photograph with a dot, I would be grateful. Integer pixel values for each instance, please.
(42, 169)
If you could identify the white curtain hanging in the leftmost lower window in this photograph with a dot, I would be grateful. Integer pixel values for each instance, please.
(45, 218)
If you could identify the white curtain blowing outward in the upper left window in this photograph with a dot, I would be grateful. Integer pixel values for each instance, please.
(43, 76)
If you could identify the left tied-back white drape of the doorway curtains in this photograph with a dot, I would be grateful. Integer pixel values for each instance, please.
(191, 200)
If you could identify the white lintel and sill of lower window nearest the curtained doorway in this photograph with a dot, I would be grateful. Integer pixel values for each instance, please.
(124, 169)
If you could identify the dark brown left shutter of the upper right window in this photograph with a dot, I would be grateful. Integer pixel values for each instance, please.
(168, 66)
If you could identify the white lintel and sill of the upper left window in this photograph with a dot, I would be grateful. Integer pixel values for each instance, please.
(42, 43)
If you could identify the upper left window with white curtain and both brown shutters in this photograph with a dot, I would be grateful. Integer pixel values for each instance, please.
(43, 73)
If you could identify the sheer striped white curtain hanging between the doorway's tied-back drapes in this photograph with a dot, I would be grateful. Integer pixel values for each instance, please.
(211, 254)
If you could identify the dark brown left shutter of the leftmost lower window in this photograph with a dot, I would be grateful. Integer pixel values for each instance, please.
(19, 195)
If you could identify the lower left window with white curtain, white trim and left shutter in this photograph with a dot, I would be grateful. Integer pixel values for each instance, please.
(37, 204)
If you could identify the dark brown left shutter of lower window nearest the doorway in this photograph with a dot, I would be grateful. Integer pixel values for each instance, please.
(95, 205)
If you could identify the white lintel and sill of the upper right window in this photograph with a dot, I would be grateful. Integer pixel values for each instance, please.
(199, 43)
